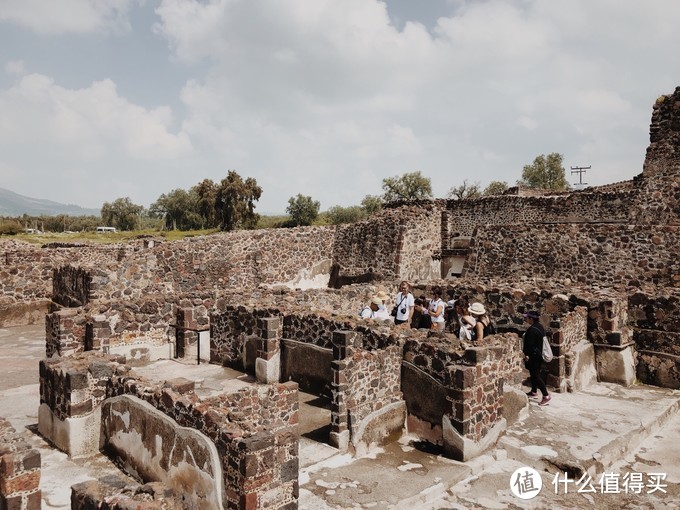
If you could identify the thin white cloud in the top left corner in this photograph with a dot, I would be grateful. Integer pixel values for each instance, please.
(56, 17)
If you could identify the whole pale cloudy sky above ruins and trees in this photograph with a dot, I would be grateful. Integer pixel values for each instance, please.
(104, 99)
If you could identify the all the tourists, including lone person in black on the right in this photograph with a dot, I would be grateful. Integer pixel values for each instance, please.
(456, 315)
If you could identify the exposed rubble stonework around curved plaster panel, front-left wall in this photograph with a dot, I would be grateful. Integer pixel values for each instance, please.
(252, 428)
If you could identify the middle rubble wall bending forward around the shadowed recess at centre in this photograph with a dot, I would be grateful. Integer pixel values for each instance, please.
(364, 377)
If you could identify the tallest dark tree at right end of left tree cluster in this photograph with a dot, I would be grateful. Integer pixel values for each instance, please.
(235, 202)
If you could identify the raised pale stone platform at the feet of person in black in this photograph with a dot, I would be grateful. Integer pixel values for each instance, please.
(589, 431)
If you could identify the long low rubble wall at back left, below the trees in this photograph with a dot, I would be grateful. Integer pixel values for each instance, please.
(240, 259)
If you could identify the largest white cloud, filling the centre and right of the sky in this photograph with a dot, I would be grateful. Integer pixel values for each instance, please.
(333, 84)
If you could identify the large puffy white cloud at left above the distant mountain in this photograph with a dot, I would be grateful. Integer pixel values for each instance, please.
(84, 143)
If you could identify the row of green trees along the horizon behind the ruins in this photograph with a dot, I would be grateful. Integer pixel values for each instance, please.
(230, 204)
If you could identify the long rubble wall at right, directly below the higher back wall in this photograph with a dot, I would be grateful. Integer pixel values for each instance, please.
(590, 254)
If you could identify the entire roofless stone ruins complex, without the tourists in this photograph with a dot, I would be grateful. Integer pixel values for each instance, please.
(202, 371)
